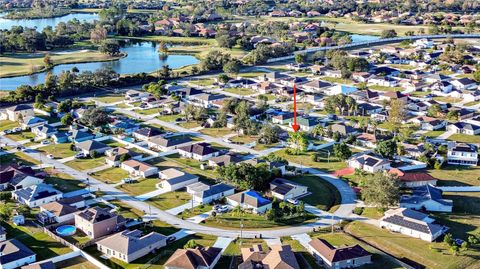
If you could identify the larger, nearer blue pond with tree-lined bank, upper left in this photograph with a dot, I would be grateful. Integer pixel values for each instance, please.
(142, 57)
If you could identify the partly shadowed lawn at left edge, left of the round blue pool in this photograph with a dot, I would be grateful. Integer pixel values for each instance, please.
(43, 245)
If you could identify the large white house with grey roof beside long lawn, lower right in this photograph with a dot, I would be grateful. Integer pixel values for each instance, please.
(412, 223)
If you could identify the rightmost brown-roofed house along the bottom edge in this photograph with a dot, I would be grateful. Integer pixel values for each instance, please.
(344, 257)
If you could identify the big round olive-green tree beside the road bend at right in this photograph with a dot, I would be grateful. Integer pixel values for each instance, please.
(381, 190)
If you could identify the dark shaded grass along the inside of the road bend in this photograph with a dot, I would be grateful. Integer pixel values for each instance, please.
(324, 195)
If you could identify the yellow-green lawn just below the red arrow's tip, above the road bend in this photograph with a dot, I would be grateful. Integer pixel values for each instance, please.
(305, 159)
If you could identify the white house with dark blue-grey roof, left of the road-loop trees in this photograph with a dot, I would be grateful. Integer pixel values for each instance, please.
(204, 194)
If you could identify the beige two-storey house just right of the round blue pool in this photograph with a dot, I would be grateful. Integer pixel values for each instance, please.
(96, 222)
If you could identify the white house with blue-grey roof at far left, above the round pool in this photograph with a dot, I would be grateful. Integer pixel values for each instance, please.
(37, 195)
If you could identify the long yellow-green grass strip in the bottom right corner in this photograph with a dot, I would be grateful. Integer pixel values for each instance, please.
(431, 255)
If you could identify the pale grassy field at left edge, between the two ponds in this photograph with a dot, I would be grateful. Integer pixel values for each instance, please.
(26, 63)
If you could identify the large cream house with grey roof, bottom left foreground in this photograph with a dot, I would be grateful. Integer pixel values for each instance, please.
(128, 245)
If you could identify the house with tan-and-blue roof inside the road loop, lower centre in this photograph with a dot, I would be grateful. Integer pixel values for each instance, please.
(250, 200)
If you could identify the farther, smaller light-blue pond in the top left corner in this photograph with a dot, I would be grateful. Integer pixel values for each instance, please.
(42, 23)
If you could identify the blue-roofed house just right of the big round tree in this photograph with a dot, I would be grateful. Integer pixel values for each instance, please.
(427, 198)
